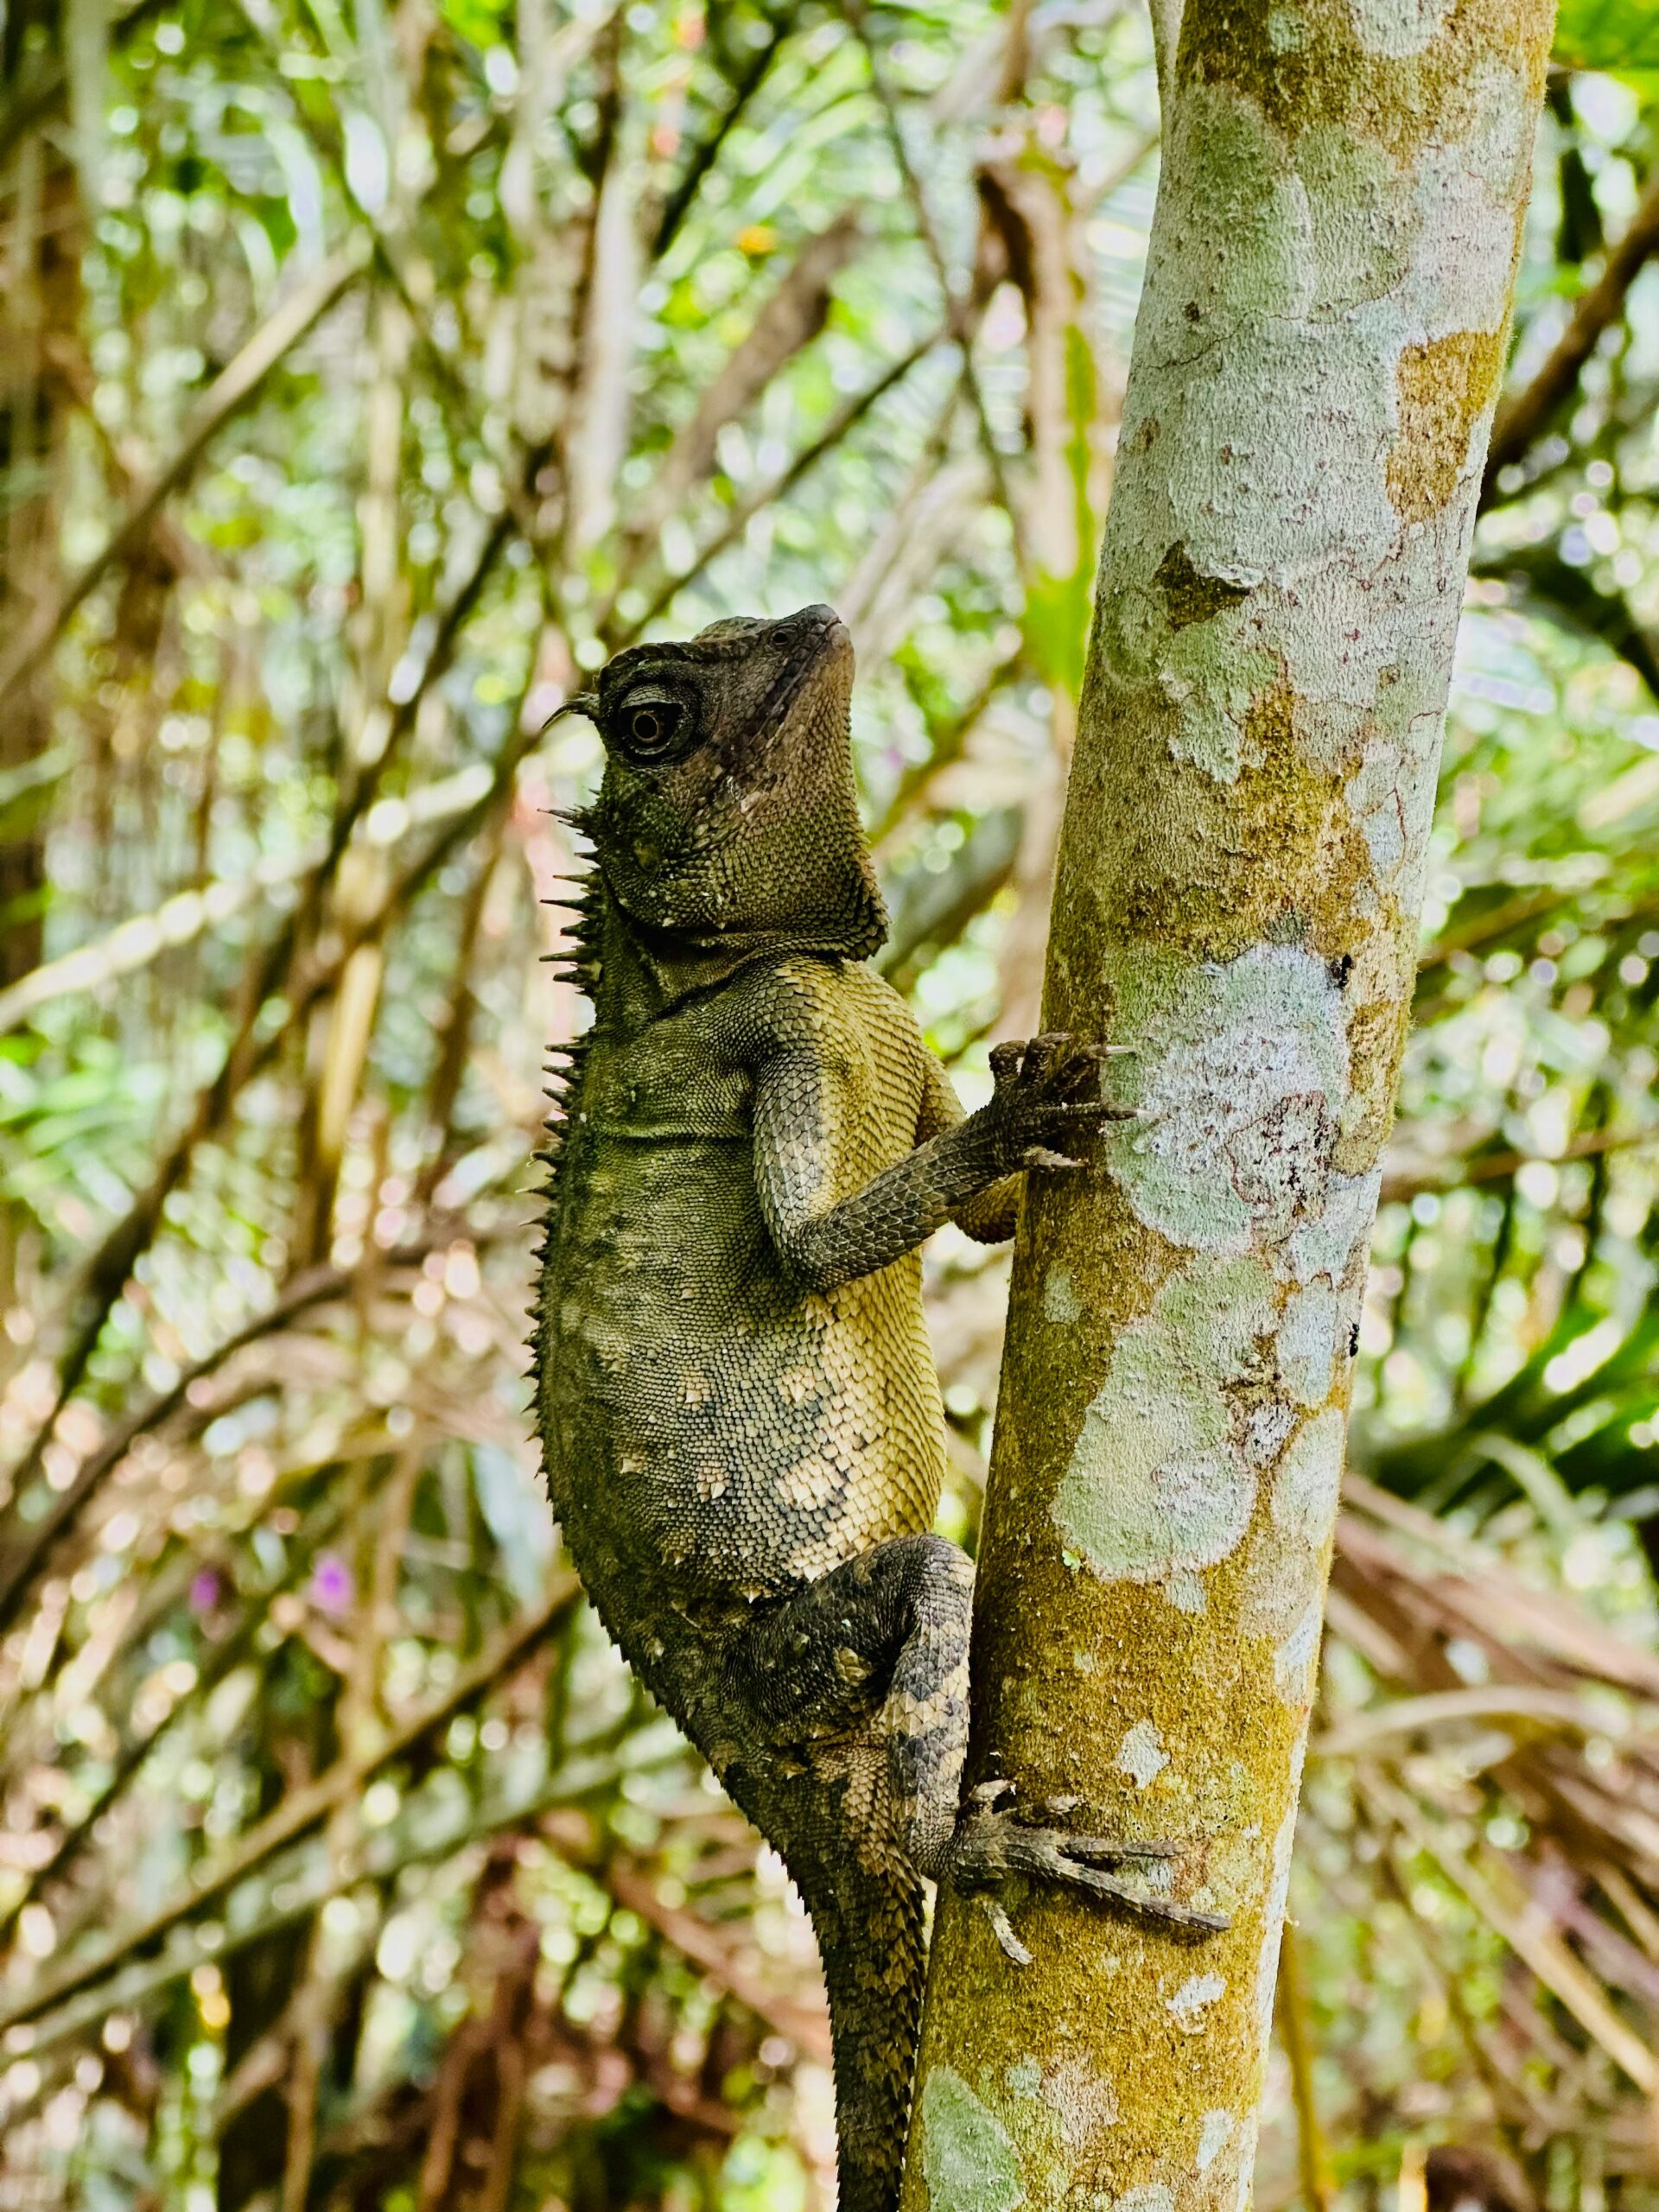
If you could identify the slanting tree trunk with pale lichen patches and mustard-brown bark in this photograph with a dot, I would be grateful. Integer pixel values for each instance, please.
(1240, 884)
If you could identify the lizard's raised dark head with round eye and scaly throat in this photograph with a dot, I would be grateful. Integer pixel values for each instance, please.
(729, 813)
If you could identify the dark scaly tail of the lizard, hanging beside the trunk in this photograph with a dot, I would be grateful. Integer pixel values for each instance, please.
(875, 1965)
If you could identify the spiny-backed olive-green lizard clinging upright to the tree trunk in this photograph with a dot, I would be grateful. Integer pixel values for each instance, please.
(738, 1404)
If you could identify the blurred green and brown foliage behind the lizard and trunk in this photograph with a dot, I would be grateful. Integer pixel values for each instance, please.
(368, 371)
